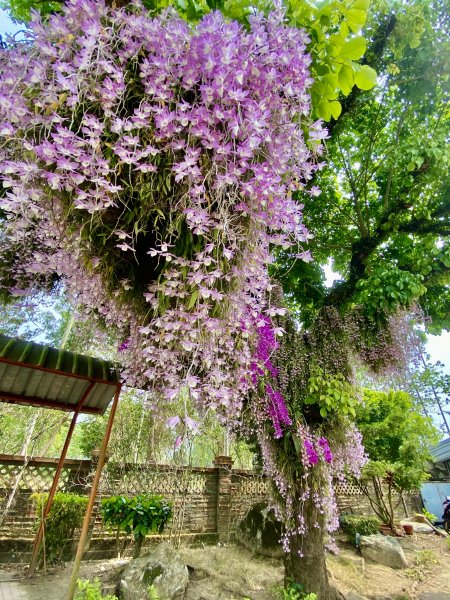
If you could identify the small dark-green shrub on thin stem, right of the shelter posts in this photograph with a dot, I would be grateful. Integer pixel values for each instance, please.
(139, 515)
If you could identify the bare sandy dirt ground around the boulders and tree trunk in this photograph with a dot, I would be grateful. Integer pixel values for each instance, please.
(233, 573)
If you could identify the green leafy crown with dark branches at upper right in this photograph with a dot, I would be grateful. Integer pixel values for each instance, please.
(381, 219)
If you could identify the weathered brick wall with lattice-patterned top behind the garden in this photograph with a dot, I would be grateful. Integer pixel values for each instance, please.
(208, 502)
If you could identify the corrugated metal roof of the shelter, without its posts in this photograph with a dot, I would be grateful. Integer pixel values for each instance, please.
(38, 375)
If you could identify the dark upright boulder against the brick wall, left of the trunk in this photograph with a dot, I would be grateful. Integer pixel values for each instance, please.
(260, 531)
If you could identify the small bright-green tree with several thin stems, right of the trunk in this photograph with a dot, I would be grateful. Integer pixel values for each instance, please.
(397, 439)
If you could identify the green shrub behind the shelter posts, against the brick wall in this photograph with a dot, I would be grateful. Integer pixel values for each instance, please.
(66, 515)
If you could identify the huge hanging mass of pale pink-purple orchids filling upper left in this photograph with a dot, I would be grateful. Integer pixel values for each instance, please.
(226, 111)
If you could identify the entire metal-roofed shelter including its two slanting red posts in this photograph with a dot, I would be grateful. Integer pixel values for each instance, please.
(37, 375)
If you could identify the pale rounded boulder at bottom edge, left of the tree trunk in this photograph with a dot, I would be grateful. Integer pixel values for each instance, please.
(161, 567)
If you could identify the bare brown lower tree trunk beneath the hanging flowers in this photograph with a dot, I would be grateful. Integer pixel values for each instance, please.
(305, 564)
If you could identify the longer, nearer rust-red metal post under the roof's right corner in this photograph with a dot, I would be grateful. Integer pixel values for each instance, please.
(90, 506)
